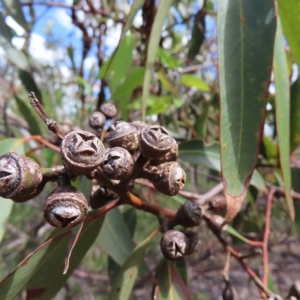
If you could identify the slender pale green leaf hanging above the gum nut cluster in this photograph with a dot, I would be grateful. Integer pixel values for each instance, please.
(162, 11)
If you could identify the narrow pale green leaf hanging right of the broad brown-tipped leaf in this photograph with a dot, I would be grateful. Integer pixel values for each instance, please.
(282, 101)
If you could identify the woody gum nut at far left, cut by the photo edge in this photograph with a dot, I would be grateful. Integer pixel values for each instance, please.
(20, 177)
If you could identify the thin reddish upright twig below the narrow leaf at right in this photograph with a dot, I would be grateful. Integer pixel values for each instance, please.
(266, 237)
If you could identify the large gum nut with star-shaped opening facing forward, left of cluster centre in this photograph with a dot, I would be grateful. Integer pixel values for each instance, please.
(81, 152)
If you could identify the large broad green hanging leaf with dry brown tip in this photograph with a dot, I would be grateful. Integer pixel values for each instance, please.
(245, 45)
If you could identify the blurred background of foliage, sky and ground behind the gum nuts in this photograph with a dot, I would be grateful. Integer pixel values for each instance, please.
(156, 61)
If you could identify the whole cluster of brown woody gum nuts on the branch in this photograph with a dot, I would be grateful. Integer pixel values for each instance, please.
(137, 150)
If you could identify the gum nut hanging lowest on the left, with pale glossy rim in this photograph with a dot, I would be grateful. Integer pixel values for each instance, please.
(65, 207)
